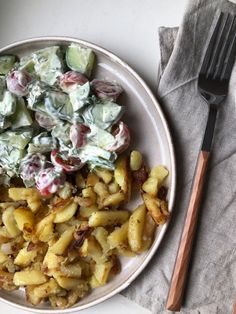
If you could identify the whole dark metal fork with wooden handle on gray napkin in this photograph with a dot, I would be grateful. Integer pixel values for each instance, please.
(213, 82)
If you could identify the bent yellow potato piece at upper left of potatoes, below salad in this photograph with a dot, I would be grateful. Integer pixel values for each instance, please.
(31, 195)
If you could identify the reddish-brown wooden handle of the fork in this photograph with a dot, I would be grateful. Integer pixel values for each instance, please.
(174, 300)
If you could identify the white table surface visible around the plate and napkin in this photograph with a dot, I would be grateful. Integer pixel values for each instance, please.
(126, 27)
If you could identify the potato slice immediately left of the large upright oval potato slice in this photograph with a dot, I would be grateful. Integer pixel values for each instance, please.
(119, 236)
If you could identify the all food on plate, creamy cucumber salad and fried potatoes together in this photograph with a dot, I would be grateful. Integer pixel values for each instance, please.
(66, 178)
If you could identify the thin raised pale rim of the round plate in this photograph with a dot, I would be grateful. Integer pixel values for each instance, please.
(153, 250)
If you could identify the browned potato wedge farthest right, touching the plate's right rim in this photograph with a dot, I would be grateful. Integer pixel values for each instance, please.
(158, 209)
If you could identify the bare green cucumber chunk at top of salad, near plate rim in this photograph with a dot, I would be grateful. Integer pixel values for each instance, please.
(80, 59)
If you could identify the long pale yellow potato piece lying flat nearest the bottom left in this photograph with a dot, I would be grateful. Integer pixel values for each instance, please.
(29, 277)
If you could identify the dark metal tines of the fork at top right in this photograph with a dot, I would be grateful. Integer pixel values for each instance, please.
(220, 54)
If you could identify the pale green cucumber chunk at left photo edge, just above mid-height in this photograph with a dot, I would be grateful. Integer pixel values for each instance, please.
(18, 139)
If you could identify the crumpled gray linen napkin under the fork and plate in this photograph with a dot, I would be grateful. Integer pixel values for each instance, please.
(212, 278)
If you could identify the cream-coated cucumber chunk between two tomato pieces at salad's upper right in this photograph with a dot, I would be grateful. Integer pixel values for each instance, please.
(79, 95)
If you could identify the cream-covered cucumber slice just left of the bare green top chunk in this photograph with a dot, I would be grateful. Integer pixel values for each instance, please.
(48, 64)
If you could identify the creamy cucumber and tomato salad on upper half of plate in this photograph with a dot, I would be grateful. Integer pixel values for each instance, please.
(54, 119)
